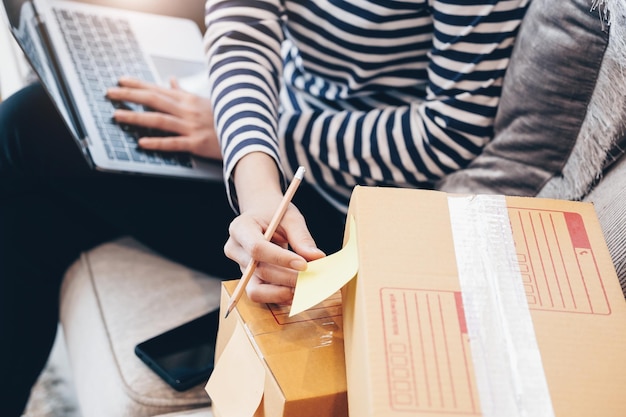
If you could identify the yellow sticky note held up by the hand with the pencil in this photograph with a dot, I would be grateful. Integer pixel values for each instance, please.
(323, 277)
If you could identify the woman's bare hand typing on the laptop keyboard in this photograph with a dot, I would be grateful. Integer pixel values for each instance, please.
(188, 116)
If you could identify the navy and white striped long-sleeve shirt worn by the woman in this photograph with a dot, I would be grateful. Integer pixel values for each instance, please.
(368, 92)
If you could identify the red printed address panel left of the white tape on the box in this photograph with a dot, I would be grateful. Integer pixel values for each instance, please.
(427, 352)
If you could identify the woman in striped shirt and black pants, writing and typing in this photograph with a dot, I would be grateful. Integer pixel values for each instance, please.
(386, 93)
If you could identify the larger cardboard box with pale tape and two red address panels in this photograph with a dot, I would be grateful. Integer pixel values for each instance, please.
(481, 306)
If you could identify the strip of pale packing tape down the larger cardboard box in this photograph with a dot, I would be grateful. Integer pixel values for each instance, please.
(507, 362)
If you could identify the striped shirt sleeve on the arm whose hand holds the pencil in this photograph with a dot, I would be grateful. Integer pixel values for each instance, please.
(243, 41)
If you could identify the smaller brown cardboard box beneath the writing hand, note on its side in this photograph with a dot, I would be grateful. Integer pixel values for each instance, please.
(271, 365)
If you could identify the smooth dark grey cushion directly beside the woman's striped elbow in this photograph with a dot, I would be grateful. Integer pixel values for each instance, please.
(547, 89)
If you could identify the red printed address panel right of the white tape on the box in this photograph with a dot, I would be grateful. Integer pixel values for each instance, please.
(557, 263)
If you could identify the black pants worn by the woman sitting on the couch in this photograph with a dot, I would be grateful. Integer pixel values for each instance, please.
(52, 207)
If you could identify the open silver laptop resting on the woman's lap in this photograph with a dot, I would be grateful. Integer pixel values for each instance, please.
(78, 50)
